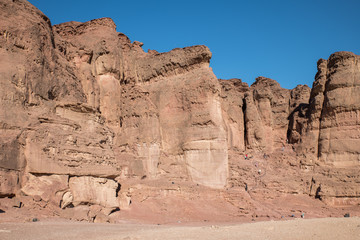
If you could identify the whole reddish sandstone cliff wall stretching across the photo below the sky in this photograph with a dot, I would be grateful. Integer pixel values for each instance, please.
(86, 116)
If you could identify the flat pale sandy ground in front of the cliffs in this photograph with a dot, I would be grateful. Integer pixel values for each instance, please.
(324, 228)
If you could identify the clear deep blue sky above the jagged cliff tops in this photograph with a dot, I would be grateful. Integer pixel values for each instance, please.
(279, 39)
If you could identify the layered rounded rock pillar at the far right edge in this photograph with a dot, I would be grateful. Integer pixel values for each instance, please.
(327, 130)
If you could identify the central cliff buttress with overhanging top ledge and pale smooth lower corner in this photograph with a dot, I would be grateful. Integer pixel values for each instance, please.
(155, 103)
